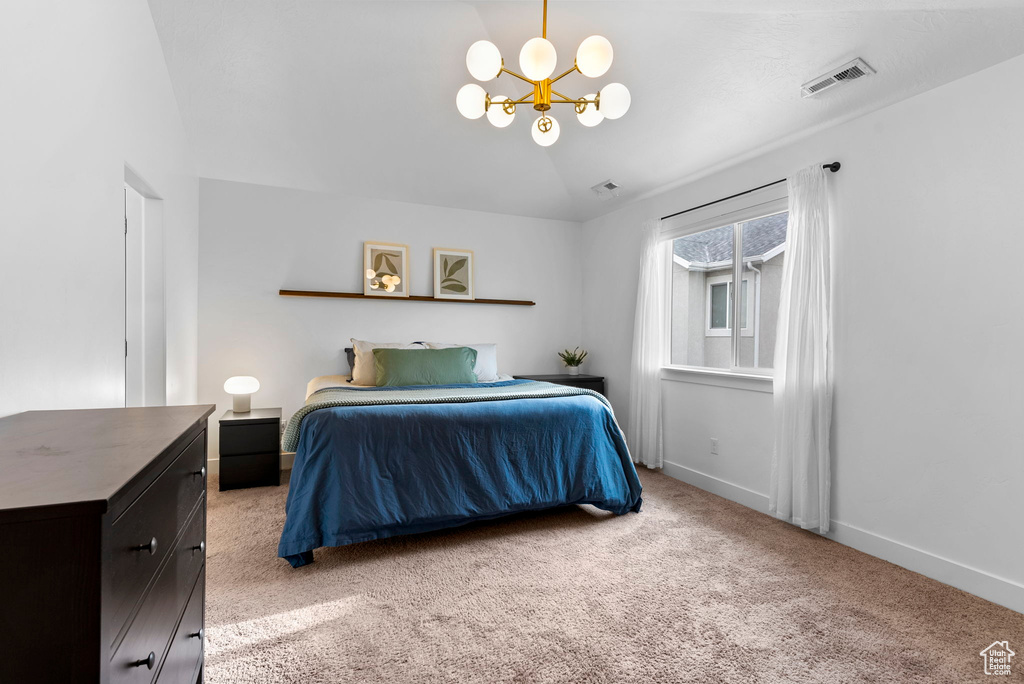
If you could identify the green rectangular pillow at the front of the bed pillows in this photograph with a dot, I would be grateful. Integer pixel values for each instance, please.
(398, 368)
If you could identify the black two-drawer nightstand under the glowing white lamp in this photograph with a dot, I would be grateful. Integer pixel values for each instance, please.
(250, 449)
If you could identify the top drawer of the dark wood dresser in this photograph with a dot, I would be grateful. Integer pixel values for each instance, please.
(158, 515)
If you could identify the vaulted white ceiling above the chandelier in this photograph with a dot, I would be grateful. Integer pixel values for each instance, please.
(359, 98)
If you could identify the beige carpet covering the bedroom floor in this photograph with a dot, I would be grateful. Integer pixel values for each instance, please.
(694, 589)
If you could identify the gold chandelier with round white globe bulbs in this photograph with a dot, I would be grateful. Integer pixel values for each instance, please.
(538, 60)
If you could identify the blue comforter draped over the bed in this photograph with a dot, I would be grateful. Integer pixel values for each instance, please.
(366, 473)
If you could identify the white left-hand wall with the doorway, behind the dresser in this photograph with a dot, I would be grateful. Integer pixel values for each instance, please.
(84, 93)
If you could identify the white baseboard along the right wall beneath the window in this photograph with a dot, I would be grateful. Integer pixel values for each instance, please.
(971, 580)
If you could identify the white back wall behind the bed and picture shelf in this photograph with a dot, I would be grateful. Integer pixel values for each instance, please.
(258, 240)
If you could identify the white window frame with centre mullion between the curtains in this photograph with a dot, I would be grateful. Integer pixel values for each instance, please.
(759, 204)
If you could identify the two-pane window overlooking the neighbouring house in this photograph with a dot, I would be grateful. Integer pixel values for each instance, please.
(713, 325)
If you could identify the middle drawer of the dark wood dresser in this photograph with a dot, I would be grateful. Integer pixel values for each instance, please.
(153, 626)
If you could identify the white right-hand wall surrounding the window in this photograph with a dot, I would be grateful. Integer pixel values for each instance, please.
(928, 467)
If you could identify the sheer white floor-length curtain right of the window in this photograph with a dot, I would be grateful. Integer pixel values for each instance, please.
(800, 472)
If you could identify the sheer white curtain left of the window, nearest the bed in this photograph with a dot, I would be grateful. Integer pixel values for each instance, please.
(650, 334)
